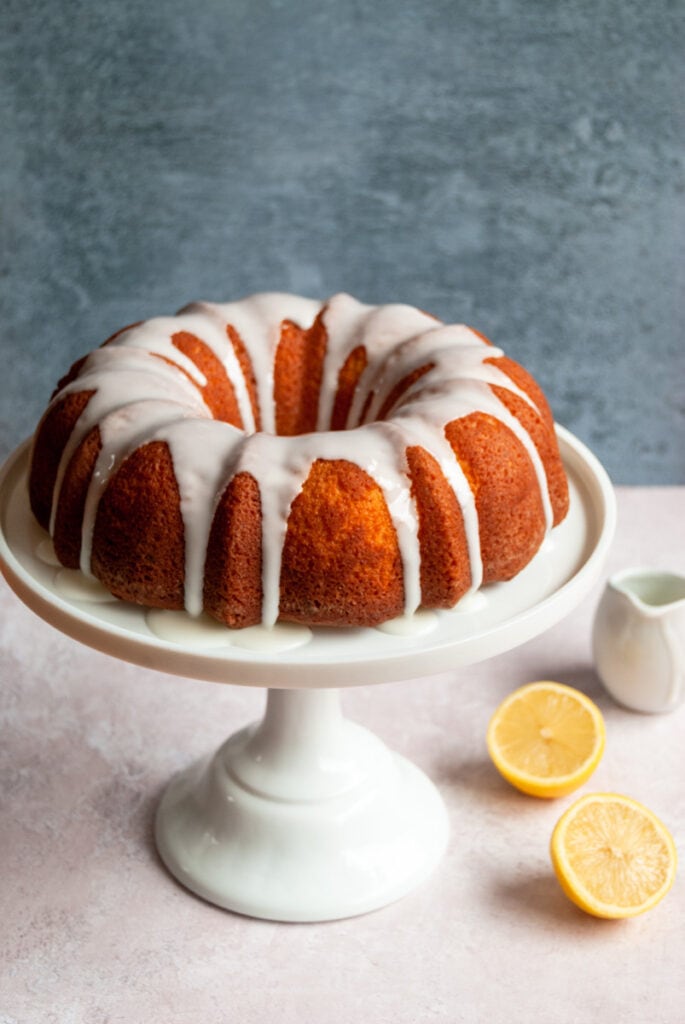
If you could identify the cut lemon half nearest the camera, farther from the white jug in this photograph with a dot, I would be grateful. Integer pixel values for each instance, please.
(614, 859)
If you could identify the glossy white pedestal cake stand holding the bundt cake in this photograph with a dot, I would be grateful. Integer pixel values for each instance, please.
(306, 816)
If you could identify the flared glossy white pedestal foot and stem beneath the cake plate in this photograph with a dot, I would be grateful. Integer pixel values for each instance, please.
(305, 817)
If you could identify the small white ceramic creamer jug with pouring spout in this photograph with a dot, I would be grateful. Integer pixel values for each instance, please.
(639, 639)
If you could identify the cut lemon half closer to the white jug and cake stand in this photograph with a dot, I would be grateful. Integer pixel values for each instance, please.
(546, 739)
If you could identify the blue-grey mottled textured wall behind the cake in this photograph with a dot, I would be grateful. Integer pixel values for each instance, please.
(517, 165)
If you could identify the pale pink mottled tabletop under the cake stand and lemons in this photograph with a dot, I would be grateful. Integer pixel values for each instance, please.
(94, 929)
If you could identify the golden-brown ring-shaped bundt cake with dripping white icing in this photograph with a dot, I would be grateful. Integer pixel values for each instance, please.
(334, 464)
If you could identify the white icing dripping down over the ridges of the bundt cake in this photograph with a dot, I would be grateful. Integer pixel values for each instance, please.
(140, 398)
